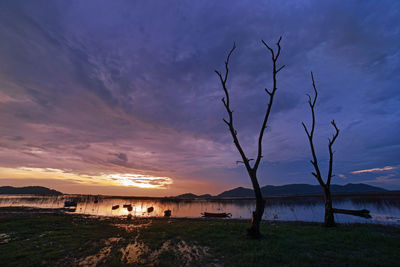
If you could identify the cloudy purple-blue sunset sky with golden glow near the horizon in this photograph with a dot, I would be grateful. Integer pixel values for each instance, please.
(121, 98)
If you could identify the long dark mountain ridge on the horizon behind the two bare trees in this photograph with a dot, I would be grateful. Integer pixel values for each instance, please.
(301, 189)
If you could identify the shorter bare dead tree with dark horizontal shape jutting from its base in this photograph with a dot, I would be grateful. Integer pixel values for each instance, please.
(329, 219)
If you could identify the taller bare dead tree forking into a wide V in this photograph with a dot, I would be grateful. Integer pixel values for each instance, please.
(254, 230)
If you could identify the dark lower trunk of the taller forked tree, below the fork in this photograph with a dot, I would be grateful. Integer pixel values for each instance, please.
(254, 230)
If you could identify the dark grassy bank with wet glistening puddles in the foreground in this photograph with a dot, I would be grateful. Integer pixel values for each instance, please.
(31, 239)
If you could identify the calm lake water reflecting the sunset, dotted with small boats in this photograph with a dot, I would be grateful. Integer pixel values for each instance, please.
(384, 209)
